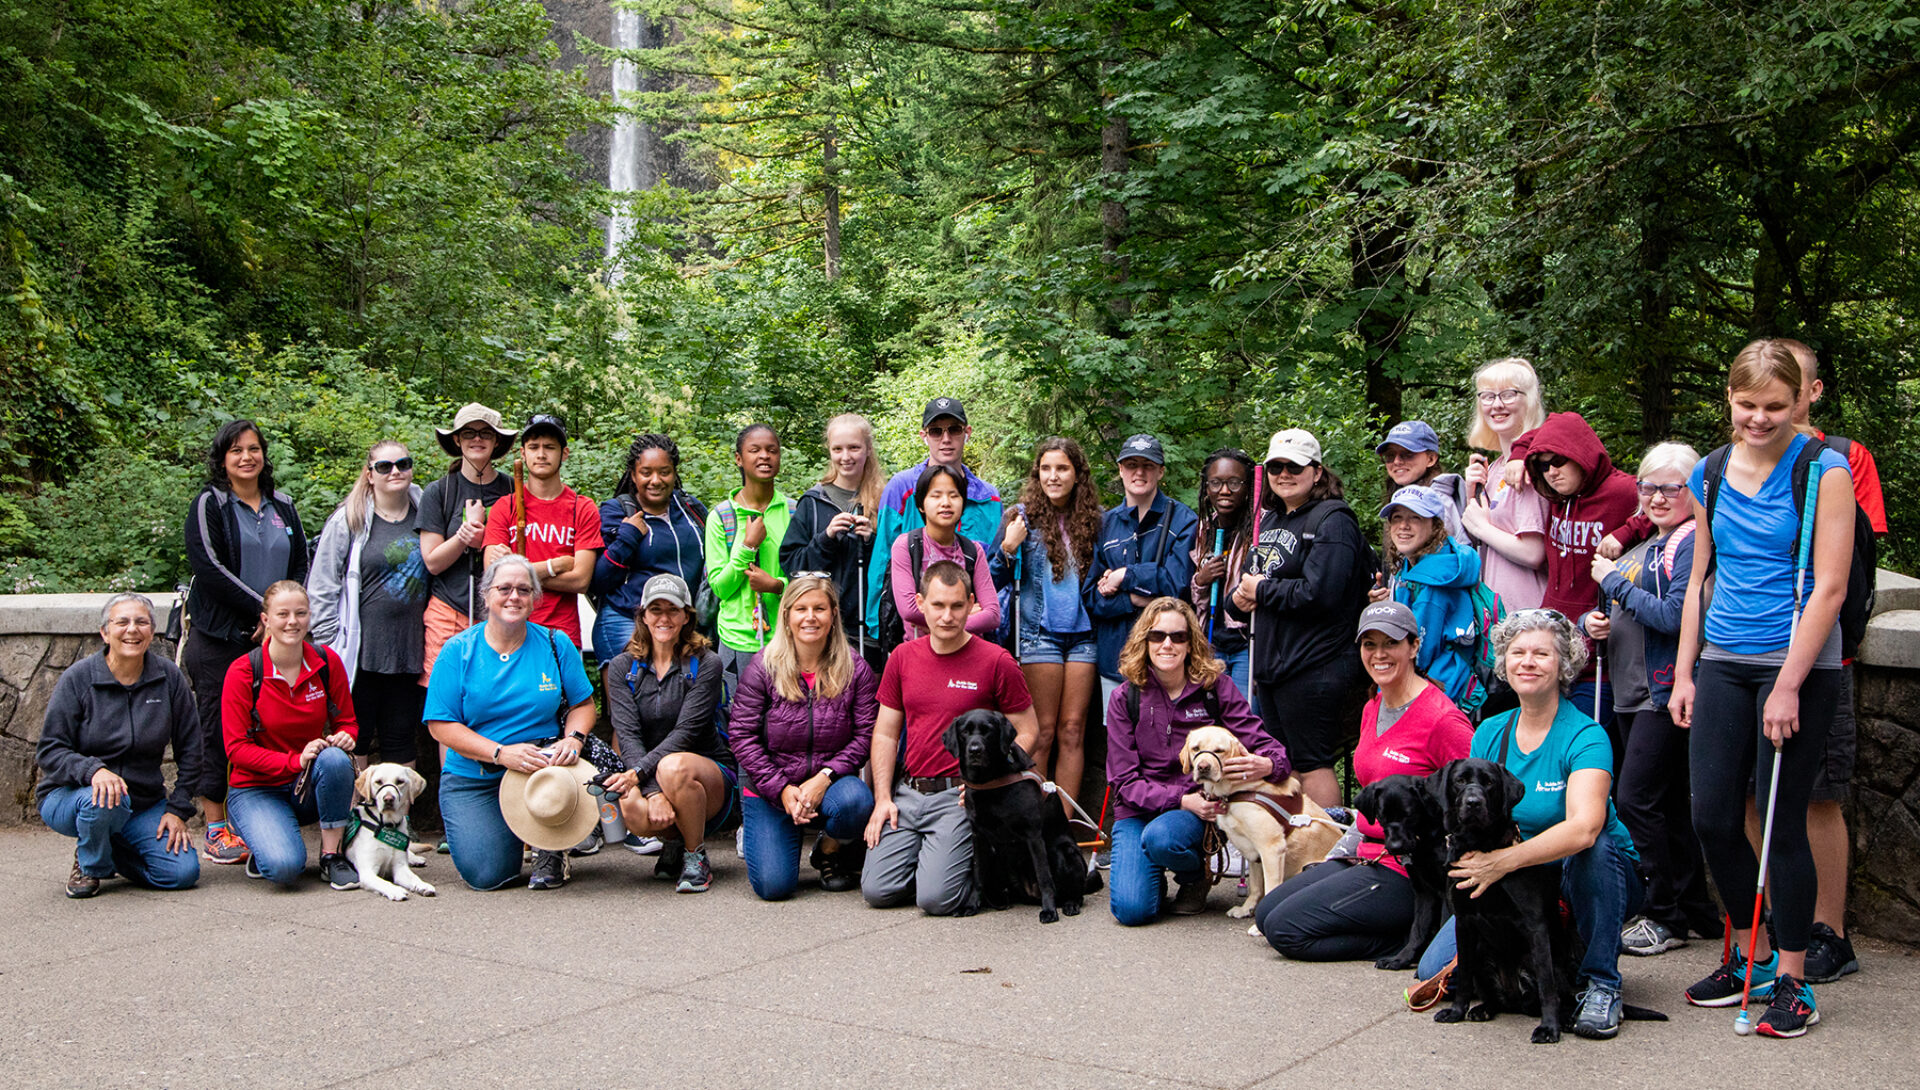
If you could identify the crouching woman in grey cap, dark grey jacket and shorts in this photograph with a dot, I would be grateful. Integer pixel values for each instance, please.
(663, 694)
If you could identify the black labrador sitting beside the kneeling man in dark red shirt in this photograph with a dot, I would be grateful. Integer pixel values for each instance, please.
(1022, 847)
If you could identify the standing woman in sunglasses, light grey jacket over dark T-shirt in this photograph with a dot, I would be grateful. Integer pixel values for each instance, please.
(370, 592)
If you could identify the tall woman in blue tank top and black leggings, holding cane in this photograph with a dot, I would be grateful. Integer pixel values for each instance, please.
(1758, 678)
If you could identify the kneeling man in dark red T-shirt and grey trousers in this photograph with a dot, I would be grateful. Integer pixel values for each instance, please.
(921, 840)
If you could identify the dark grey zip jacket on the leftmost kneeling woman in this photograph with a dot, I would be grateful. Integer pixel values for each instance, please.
(95, 723)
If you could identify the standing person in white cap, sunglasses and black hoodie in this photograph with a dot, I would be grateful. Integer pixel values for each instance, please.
(1307, 582)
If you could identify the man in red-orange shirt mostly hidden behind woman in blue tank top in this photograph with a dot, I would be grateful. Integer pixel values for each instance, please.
(1831, 957)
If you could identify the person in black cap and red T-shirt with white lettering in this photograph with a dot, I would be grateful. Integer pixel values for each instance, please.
(562, 527)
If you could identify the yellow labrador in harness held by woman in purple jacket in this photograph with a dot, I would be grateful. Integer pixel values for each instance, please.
(1276, 826)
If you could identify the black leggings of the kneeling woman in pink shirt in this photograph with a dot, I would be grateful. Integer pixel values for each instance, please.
(1339, 912)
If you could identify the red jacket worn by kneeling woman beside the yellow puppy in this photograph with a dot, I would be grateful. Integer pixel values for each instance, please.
(291, 717)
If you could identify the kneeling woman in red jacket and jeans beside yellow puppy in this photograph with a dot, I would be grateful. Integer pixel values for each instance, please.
(289, 719)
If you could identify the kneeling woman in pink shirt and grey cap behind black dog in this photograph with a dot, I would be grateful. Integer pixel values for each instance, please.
(1345, 909)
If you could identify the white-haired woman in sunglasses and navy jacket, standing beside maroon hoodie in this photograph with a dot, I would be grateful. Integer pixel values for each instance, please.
(1646, 596)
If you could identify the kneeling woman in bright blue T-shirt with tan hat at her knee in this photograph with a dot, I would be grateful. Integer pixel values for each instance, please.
(496, 692)
